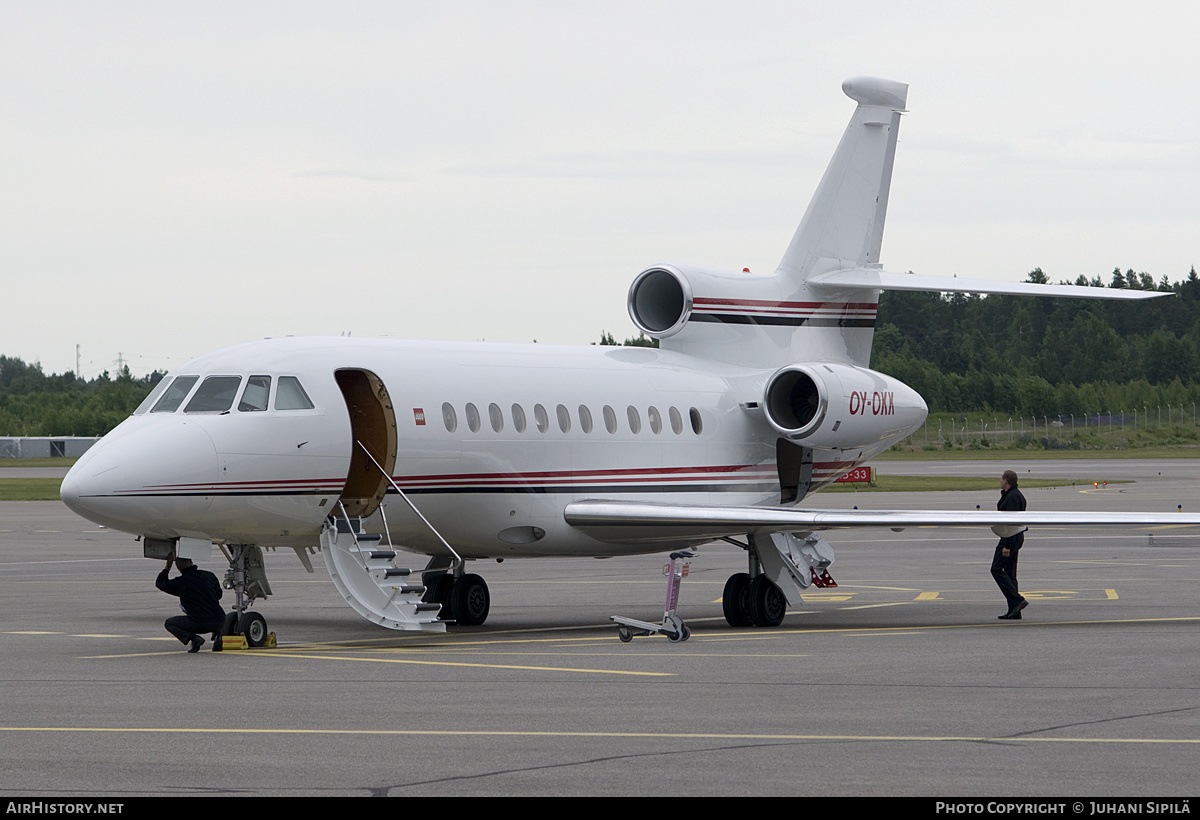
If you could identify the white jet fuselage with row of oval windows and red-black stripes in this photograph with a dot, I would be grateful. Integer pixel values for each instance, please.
(491, 442)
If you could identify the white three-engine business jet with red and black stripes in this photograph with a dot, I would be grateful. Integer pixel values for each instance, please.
(759, 396)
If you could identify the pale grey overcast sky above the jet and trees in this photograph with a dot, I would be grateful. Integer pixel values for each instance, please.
(181, 177)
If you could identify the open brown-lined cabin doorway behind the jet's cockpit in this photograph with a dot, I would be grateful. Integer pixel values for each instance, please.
(374, 427)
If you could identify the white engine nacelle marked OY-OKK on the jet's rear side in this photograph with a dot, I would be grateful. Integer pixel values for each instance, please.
(835, 406)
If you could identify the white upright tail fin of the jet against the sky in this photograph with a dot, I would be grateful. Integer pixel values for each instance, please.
(843, 226)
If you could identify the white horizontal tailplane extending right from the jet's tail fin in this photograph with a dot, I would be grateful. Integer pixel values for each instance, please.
(881, 280)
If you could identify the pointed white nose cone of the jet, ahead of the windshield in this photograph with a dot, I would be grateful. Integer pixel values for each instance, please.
(151, 476)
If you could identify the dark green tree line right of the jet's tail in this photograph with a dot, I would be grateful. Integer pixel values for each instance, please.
(1042, 356)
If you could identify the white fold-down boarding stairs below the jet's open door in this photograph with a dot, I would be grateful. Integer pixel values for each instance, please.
(365, 572)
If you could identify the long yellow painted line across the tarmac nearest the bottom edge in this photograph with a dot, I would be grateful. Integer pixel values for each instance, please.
(616, 735)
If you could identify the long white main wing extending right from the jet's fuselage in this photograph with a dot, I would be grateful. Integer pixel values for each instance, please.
(645, 522)
